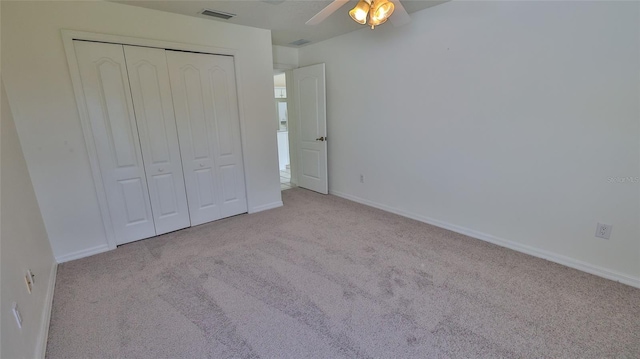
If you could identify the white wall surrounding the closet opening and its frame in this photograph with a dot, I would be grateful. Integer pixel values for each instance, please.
(41, 95)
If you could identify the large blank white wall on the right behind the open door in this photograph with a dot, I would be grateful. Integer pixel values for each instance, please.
(503, 120)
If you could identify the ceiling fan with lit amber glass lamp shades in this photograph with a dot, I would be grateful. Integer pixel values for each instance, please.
(370, 12)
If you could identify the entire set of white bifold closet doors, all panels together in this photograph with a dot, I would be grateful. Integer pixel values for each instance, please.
(166, 131)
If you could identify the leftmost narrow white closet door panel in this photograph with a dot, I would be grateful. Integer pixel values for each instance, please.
(108, 99)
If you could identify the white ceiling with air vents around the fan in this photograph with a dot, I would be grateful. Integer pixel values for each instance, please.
(285, 18)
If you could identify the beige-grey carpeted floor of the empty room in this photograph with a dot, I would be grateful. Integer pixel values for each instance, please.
(323, 277)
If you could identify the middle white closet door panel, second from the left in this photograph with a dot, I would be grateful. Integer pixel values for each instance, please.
(153, 106)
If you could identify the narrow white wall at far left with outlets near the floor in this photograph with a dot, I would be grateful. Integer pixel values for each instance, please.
(23, 245)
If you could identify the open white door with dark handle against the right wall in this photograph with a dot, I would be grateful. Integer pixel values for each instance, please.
(310, 100)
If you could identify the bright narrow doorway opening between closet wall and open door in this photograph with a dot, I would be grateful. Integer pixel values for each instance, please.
(282, 114)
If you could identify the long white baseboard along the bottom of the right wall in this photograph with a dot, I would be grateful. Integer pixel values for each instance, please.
(536, 252)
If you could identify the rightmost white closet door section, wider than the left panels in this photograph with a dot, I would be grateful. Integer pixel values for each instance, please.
(206, 107)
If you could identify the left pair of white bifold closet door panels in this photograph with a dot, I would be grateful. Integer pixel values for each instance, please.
(133, 126)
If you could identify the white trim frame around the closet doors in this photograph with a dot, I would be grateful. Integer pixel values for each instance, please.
(68, 37)
